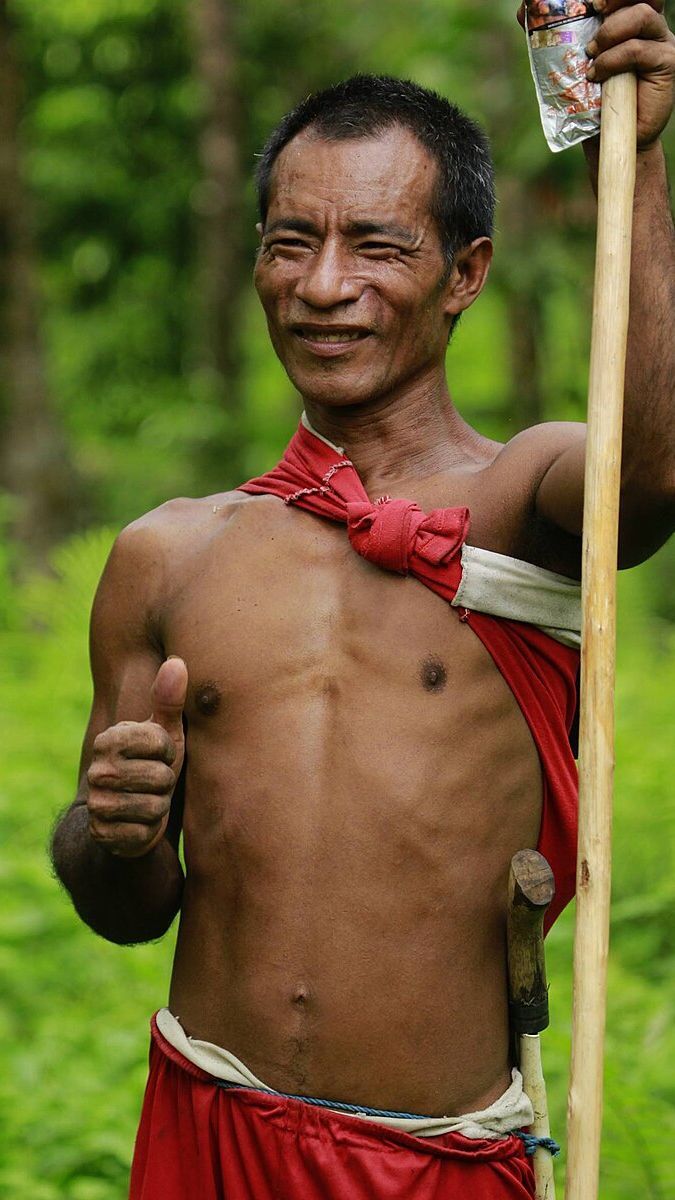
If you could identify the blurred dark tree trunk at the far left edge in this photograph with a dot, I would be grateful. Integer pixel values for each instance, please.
(35, 466)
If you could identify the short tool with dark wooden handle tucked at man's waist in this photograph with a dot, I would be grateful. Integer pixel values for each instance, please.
(531, 890)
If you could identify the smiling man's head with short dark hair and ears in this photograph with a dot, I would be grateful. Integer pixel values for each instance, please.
(377, 205)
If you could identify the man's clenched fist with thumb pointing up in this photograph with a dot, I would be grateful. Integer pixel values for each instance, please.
(135, 770)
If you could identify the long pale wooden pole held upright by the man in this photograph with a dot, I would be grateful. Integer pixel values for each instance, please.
(617, 185)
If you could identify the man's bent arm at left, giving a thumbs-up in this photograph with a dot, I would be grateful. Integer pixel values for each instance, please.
(116, 850)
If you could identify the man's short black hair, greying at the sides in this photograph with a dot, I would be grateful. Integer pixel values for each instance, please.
(366, 106)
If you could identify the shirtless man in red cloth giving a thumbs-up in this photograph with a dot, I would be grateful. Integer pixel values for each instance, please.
(348, 725)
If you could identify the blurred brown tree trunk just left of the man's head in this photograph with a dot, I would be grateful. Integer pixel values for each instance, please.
(224, 269)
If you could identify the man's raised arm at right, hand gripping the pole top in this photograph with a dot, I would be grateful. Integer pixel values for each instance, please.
(635, 37)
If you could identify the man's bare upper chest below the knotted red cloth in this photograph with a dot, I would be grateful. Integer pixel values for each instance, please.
(279, 608)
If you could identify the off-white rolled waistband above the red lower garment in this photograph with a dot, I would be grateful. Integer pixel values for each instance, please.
(511, 1112)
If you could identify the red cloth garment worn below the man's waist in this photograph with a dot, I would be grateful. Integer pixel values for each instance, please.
(198, 1141)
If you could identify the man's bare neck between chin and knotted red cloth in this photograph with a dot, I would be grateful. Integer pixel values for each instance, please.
(395, 441)
